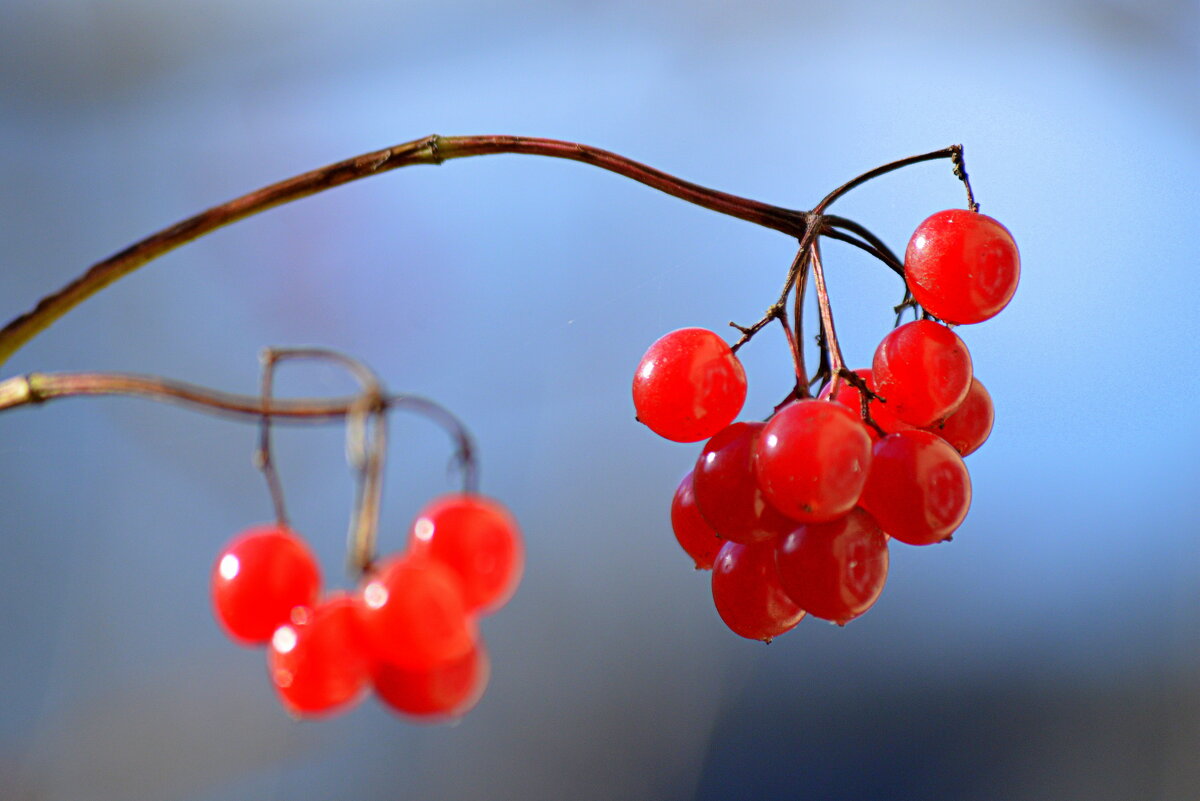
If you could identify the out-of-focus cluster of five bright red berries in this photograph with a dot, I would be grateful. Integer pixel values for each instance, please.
(410, 631)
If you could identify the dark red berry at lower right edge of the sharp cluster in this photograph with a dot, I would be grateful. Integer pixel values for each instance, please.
(920, 490)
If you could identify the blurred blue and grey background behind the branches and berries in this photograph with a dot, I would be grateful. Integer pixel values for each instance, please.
(1053, 652)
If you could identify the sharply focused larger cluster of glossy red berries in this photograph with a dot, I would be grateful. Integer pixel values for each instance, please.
(794, 515)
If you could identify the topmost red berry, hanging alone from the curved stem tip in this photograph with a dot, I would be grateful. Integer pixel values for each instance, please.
(963, 267)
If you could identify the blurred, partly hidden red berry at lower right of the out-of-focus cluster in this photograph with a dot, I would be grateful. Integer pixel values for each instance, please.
(445, 692)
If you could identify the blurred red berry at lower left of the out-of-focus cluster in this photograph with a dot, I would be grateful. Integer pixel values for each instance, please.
(317, 661)
